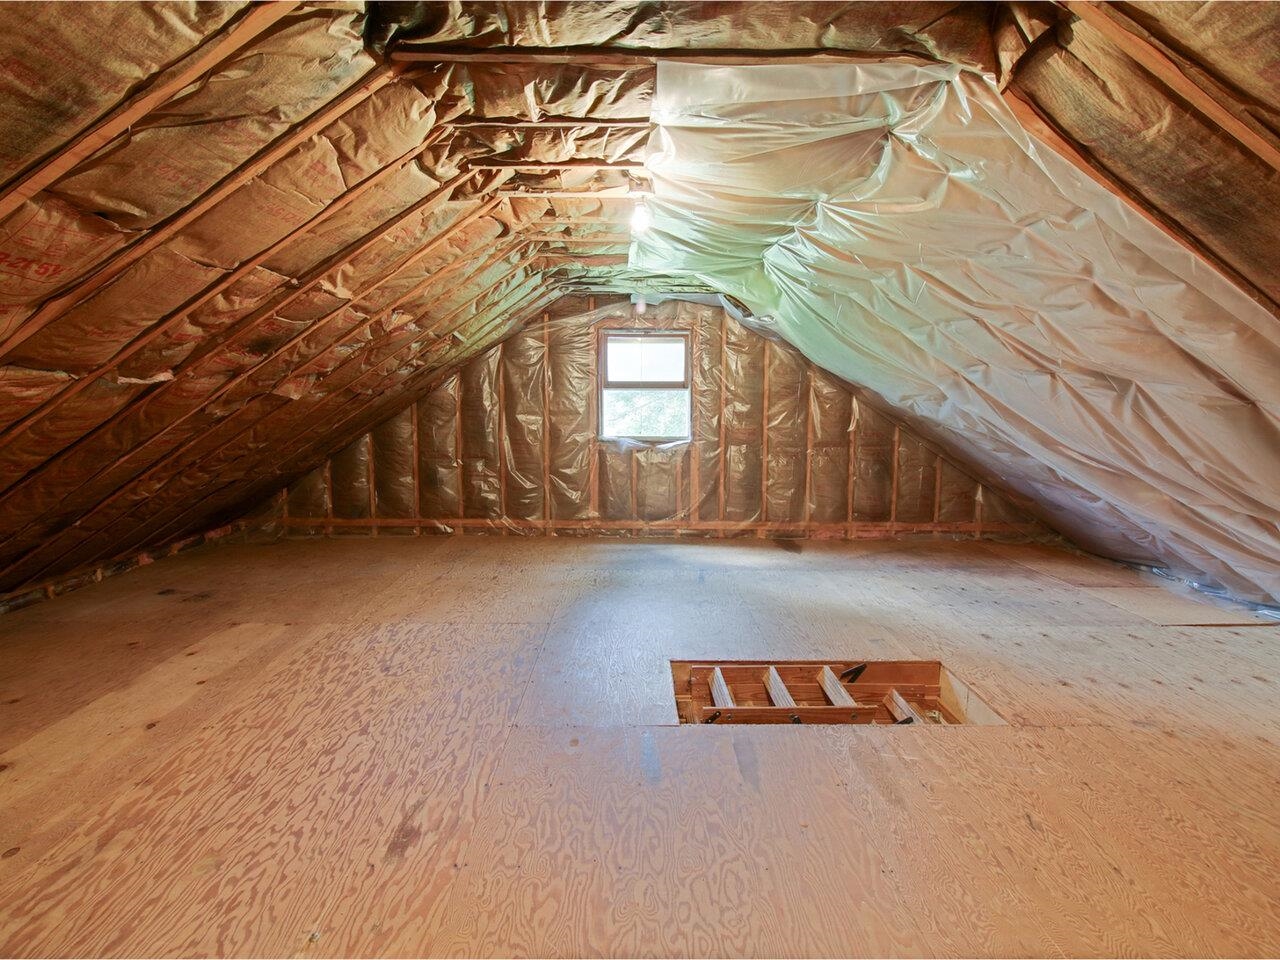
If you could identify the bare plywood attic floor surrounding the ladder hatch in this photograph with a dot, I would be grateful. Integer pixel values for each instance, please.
(467, 746)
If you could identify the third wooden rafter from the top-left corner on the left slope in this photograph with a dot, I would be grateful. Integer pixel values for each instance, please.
(175, 319)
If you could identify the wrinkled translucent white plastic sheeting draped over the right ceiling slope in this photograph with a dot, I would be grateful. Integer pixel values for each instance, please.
(903, 231)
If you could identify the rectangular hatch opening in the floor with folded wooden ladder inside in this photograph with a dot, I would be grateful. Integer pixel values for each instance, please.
(826, 692)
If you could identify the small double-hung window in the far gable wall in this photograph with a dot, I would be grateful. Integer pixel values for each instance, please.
(644, 385)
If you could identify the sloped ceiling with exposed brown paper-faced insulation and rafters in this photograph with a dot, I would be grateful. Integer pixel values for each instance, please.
(237, 236)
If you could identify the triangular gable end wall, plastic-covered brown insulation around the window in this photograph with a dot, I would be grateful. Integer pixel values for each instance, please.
(513, 444)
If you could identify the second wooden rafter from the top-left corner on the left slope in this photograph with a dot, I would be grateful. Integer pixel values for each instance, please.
(122, 262)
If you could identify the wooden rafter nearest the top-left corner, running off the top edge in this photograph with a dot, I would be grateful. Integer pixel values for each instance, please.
(164, 86)
